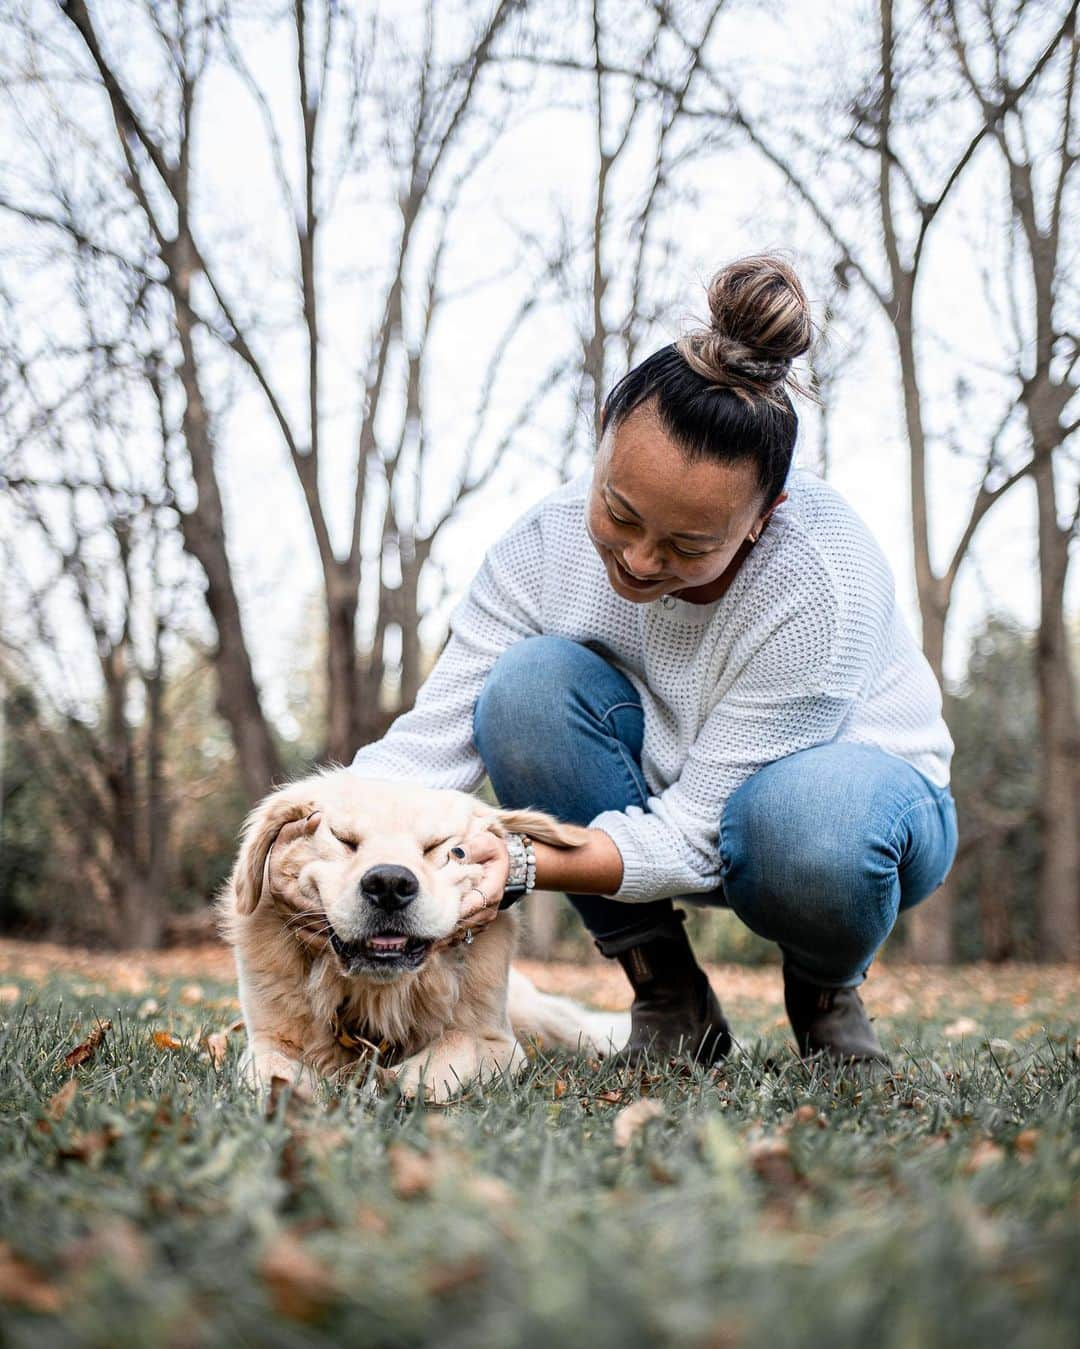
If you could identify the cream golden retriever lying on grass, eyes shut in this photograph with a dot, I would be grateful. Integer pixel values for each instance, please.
(355, 961)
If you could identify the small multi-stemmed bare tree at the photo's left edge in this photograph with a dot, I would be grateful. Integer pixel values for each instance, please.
(95, 544)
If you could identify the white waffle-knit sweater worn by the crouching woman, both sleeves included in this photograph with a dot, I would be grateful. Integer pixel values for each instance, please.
(806, 648)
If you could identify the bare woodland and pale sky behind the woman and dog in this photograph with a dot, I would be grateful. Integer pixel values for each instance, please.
(303, 306)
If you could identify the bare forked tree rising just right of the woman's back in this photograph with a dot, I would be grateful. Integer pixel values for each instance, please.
(889, 163)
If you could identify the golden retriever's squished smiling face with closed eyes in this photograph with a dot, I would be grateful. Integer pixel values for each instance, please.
(376, 879)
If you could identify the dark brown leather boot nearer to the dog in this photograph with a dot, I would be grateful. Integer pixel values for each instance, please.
(675, 1010)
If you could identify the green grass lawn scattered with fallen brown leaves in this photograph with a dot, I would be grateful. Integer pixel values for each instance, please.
(165, 1208)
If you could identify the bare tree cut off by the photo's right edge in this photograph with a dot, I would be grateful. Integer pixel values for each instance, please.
(1039, 141)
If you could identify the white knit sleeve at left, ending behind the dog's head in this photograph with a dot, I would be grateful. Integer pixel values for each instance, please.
(433, 743)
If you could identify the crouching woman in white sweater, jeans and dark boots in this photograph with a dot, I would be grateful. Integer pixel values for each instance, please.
(696, 654)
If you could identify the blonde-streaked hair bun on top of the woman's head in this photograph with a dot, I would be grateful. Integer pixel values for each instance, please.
(761, 323)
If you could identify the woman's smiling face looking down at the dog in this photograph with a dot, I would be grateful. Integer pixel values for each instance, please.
(664, 525)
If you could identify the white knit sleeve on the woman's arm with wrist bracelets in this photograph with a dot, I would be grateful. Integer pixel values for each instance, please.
(792, 694)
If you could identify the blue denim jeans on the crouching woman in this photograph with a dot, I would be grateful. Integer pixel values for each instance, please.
(819, 852)
